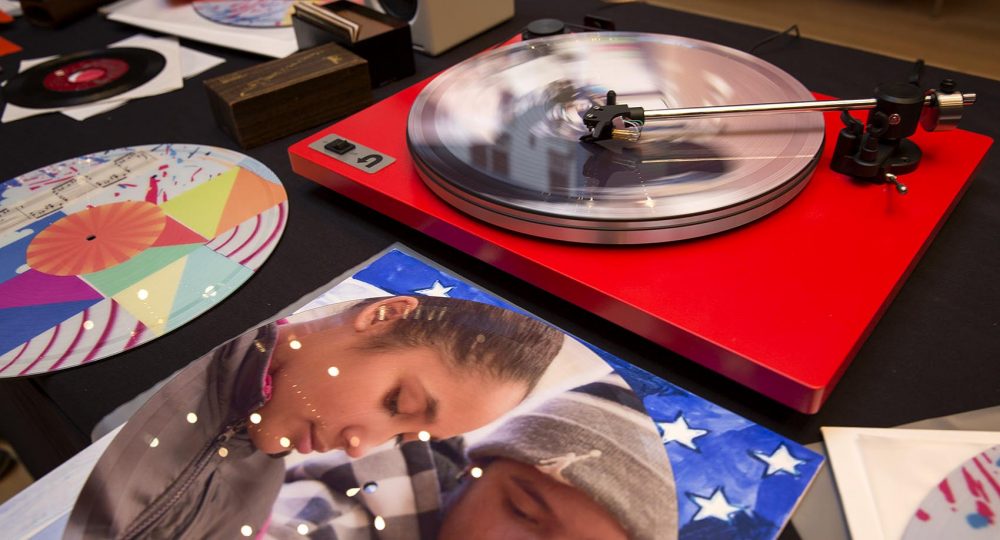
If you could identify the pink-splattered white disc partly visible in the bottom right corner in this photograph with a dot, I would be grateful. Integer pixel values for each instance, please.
(965, 505)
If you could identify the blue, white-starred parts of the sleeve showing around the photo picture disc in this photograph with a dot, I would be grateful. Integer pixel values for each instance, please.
(735, 479)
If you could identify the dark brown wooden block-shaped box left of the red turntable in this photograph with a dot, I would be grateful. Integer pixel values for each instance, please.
(271, 100)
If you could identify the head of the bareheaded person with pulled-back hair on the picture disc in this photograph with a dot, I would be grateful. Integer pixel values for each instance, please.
(395, 367)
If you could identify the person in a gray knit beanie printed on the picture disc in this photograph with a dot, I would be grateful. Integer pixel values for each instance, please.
(587, 463)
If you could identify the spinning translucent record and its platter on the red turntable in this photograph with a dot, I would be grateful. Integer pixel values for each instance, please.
(498, 137)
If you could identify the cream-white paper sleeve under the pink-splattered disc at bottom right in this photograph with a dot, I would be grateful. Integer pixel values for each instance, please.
(883, 474)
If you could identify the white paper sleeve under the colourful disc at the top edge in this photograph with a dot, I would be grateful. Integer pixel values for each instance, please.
(181, 20)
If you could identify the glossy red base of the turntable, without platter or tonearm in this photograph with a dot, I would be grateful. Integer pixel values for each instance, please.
(781, 305)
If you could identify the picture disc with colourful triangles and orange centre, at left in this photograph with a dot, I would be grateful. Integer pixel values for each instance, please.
(102, 253)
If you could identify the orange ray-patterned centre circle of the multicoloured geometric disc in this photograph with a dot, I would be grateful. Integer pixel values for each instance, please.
(96, 238)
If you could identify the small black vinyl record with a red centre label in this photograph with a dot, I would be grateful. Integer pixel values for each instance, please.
(83, 77)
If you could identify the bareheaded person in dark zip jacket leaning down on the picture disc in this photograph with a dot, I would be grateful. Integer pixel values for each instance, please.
(202, 457)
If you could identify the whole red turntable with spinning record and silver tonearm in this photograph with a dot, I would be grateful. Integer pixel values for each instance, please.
(726, 238)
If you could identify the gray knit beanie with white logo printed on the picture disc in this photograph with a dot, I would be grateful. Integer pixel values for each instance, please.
(598, 439)
